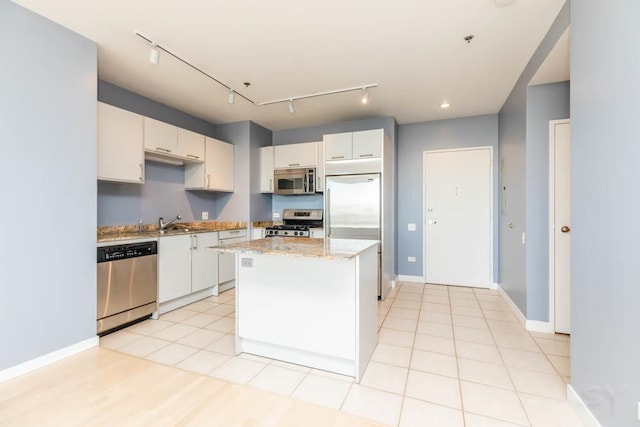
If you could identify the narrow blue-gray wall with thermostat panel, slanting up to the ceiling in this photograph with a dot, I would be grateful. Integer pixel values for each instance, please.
(512, 146)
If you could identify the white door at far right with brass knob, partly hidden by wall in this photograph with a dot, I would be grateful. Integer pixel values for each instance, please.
(560, 143)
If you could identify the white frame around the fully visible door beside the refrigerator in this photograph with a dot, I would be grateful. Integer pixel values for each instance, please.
(491, 209)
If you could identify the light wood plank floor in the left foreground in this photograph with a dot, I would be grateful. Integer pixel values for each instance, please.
(100, 387)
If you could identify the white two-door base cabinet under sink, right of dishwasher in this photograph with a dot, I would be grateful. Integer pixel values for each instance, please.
(185, 265)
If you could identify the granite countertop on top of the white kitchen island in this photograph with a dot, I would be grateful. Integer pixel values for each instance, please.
(301, 246)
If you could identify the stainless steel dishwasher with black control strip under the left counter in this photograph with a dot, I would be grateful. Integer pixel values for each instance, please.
(127, 284)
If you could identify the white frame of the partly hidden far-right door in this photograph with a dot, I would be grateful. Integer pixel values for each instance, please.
(552, 249)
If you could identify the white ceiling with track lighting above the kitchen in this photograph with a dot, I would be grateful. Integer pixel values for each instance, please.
(413, 49)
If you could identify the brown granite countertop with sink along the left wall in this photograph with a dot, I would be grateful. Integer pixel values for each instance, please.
(132, 232)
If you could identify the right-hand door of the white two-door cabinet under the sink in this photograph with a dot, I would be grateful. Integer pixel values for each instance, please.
(204, 262)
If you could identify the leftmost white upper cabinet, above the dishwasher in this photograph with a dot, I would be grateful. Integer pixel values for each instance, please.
(120, 145)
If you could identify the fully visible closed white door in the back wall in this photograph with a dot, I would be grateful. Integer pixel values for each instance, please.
(458, 230)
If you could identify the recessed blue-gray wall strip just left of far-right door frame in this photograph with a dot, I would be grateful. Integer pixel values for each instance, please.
(544, 103)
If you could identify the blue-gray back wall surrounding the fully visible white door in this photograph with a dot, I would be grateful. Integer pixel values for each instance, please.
(413, 140)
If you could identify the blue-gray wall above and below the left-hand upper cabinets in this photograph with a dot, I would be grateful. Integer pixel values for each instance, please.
(162, 194)
